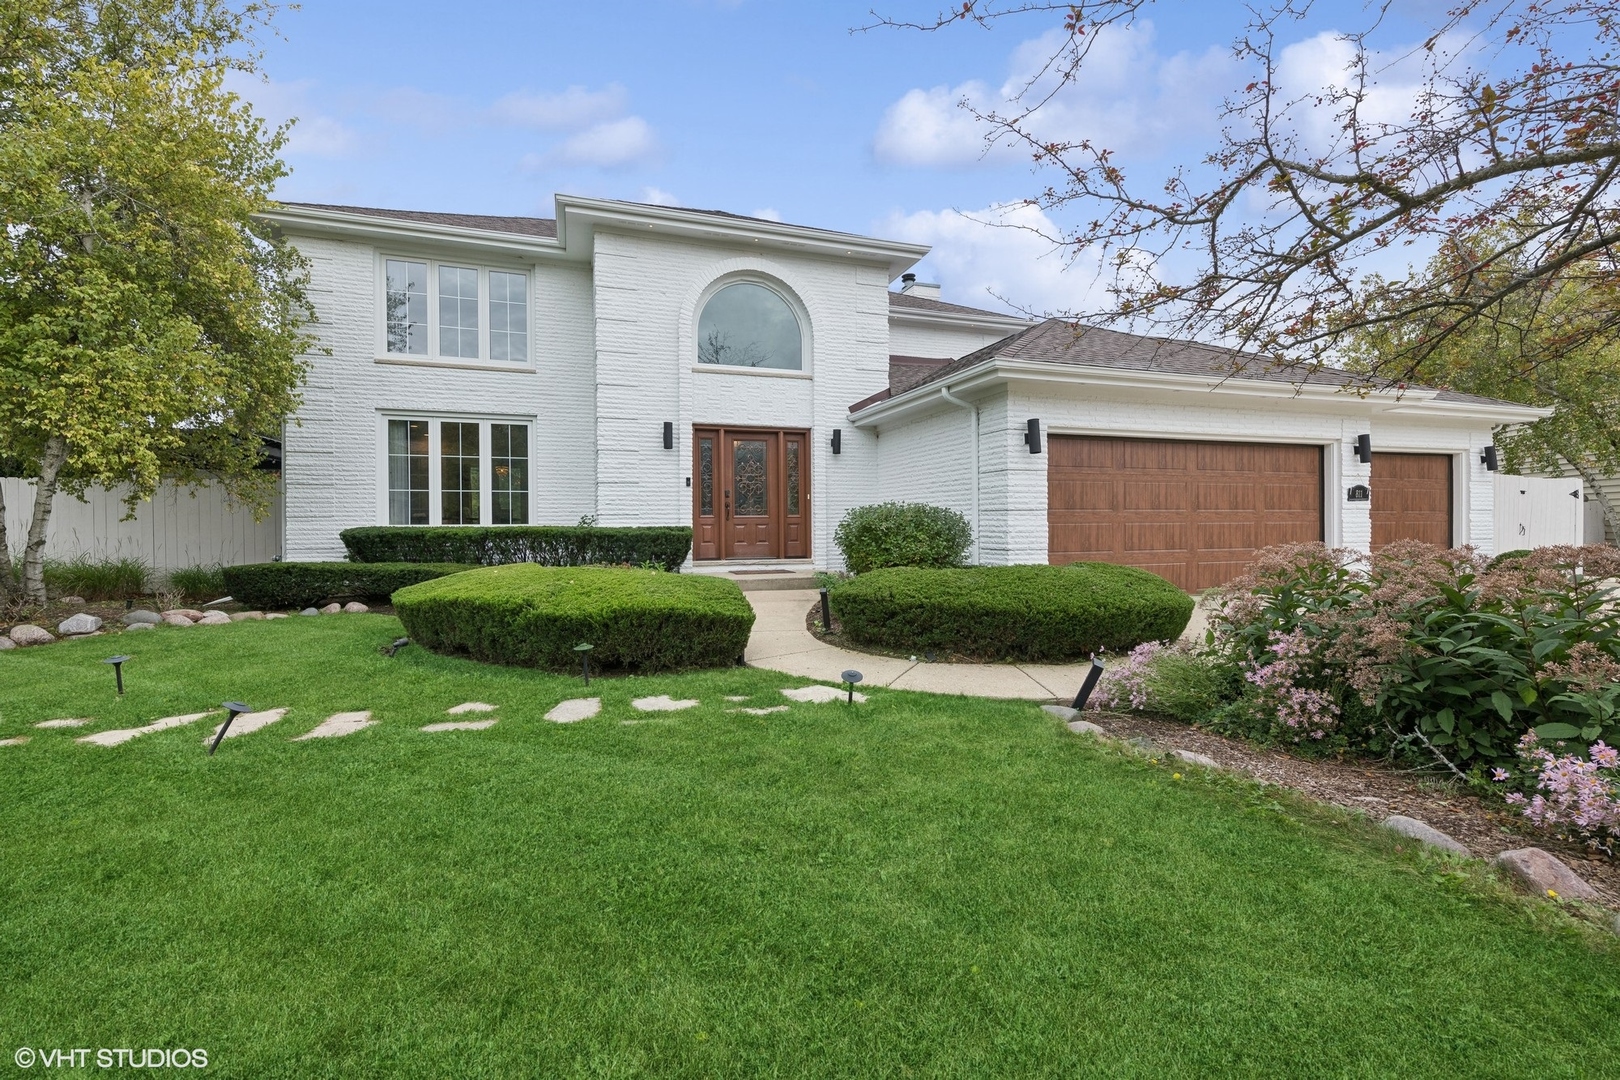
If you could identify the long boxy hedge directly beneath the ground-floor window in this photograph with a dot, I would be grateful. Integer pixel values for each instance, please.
(545, 545)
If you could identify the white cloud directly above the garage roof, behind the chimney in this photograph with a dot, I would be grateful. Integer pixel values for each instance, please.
(1002, 252)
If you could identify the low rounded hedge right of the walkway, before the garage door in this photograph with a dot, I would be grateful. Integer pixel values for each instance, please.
(1041, 614)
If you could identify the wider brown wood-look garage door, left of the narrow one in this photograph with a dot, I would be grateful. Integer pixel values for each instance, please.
(1193, 512)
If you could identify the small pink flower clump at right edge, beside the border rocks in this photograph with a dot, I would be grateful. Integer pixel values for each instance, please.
(1579, 799)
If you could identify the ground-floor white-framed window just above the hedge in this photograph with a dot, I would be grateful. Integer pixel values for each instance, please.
(458, 472)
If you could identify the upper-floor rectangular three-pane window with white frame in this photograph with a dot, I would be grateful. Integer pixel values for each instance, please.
(453, 312)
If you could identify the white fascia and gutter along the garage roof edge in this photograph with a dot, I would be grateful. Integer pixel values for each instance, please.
(997, 370)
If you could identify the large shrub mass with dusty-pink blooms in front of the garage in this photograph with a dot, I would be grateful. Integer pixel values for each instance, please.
(1415, 652)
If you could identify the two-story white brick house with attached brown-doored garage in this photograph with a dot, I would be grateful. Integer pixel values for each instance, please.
(647, 365)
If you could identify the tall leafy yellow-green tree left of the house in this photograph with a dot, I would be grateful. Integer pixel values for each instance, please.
(150, 326)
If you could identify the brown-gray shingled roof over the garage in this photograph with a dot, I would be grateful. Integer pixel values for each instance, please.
(1062, 342)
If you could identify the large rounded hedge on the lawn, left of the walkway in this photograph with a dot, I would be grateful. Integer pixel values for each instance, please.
(534, 616)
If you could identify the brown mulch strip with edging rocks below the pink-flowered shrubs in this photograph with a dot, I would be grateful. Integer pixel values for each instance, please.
(1376, 789)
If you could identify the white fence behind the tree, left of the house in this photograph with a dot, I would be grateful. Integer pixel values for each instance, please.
(171, 532)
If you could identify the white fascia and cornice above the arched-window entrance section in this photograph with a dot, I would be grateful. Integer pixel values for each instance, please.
(579, 216)
